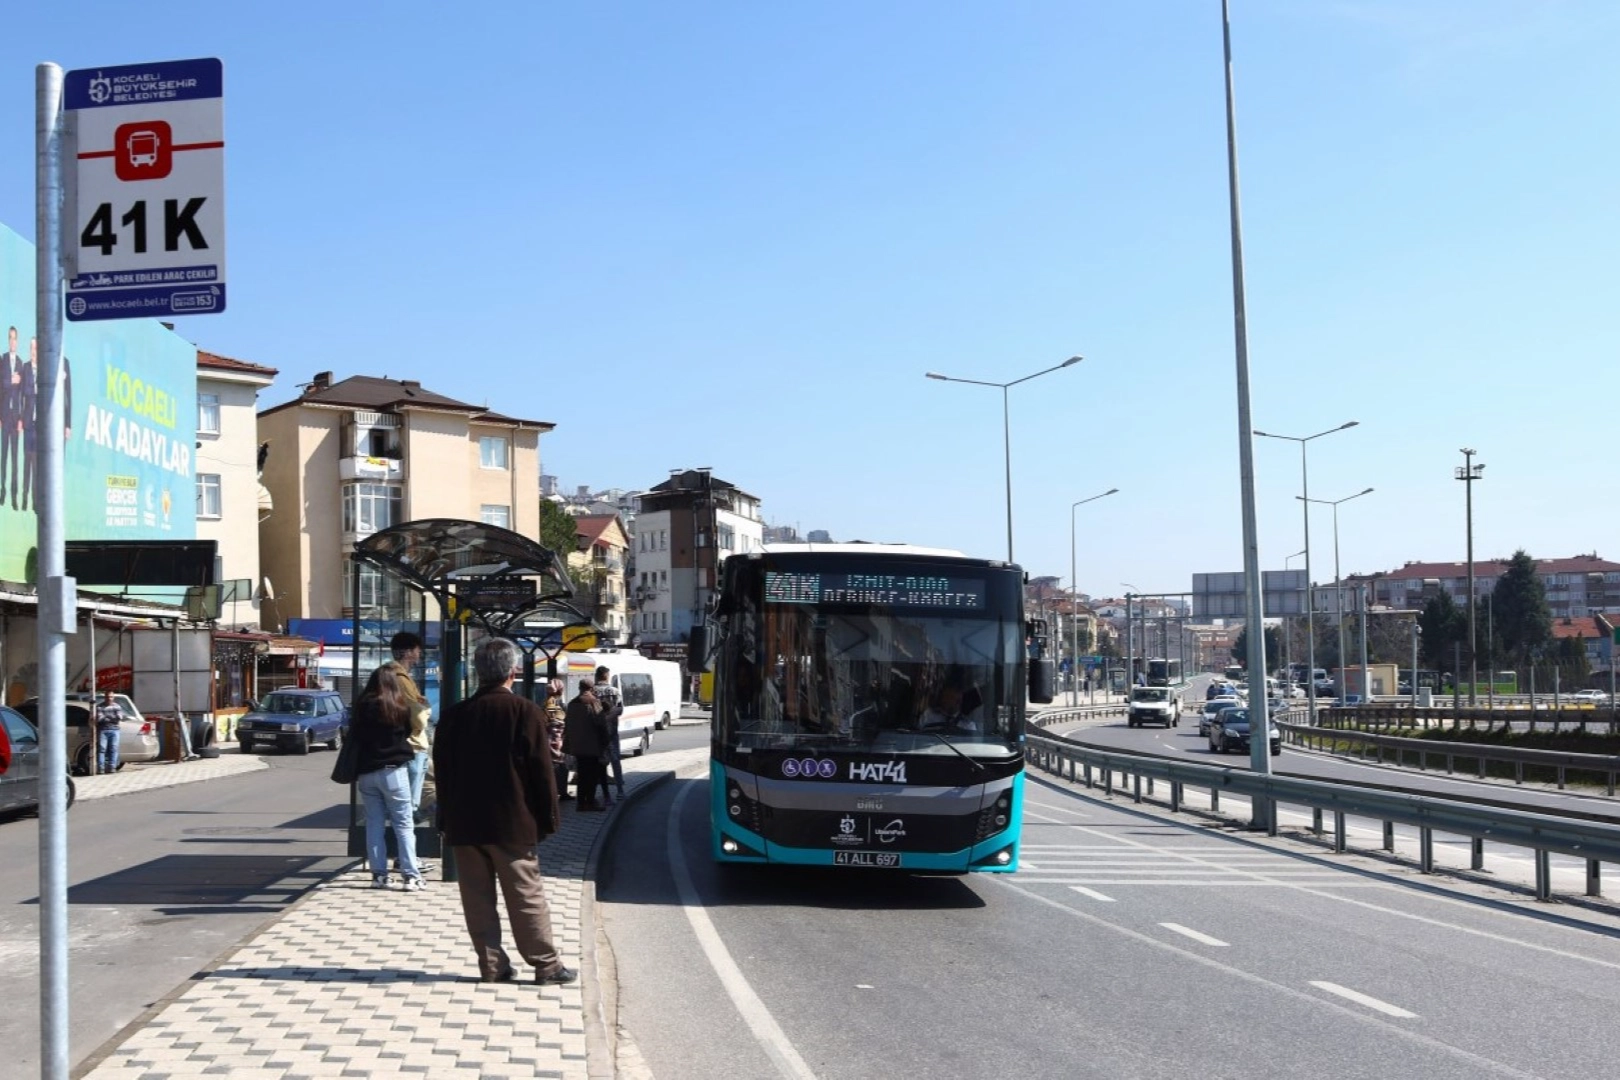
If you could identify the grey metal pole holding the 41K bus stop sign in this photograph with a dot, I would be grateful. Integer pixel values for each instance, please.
(56, 590)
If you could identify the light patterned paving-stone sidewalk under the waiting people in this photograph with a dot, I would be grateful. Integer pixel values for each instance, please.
(357, 982)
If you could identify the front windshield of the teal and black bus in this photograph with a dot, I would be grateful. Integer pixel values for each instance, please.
(889, 681)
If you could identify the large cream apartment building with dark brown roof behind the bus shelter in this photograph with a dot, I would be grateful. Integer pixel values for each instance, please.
(354, 457)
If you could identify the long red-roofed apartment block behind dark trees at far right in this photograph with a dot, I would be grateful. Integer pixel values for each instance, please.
(1577, 587)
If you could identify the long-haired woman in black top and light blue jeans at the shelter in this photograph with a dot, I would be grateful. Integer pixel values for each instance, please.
(382, 728)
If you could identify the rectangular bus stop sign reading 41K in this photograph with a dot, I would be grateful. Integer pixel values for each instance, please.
(147, 190)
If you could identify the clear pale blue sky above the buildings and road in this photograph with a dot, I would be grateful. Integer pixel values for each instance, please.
(738, 236)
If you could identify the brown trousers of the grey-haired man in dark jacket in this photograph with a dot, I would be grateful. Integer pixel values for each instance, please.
(480, 867)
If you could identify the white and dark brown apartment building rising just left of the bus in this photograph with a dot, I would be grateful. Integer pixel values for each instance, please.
(683, 532)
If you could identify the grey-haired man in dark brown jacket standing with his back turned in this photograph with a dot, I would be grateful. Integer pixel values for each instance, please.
(498, 799)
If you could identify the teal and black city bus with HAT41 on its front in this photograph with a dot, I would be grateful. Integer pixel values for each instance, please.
(869, 708)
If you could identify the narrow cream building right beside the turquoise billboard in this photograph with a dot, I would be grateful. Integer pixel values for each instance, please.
(231, 500)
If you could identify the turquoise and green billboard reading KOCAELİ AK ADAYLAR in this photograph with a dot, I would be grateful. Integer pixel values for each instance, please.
(130, 425)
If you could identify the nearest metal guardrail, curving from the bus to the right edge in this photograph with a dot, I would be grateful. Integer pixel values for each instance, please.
(1543, 835)
